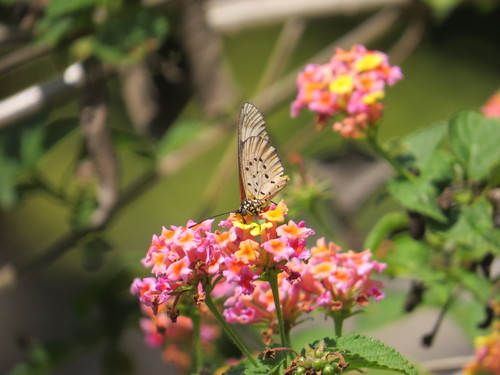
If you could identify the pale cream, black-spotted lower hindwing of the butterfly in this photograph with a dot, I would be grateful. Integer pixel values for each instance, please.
(261, 169)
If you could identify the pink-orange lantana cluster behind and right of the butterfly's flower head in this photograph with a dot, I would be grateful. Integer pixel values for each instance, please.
(331, 280)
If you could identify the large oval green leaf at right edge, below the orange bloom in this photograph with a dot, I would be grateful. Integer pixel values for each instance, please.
(474, 139)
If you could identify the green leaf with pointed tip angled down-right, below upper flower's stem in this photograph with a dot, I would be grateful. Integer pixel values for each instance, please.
(417, 195)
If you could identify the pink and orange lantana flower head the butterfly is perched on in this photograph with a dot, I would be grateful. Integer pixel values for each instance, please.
(193, 259)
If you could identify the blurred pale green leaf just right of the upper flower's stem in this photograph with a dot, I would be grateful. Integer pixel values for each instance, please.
(423, 143)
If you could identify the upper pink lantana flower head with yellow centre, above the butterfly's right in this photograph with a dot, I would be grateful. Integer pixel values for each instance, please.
(349, 88)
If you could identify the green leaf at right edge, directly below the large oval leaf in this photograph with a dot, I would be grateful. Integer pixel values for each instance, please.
(474, 230)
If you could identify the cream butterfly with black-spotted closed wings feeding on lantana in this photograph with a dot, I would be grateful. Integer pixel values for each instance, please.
(260, 168)
